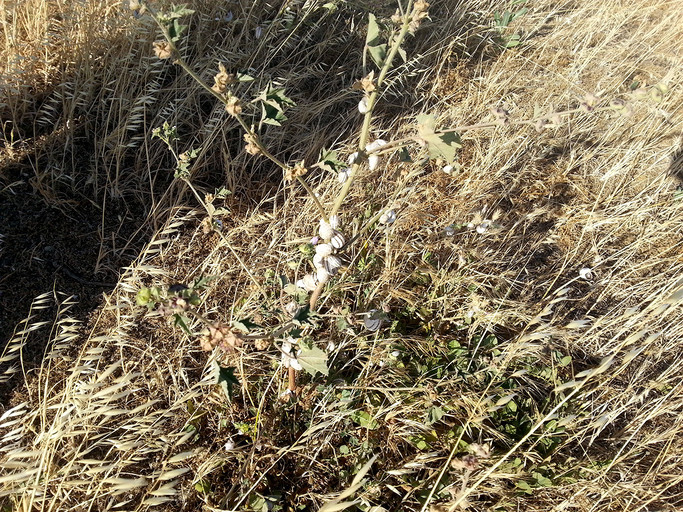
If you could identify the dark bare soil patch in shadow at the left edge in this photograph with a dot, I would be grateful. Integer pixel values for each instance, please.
(67, 251)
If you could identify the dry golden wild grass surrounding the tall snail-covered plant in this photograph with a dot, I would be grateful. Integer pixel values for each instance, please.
(118, 411)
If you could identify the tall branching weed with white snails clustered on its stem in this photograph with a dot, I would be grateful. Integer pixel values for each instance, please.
(330, 243)
